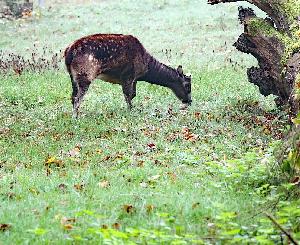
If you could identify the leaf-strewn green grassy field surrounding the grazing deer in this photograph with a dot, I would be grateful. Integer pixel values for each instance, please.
(143, 175)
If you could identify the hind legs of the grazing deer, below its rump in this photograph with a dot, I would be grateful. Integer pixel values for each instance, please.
(80, 85)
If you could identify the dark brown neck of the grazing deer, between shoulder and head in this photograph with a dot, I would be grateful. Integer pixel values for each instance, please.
(160, 74)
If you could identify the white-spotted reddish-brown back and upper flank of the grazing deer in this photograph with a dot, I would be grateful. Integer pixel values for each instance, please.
(104, 53)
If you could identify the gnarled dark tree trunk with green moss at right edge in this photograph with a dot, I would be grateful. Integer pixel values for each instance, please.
(275, 43)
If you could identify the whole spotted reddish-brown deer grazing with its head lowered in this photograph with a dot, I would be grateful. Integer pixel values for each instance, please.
(119, 59)
